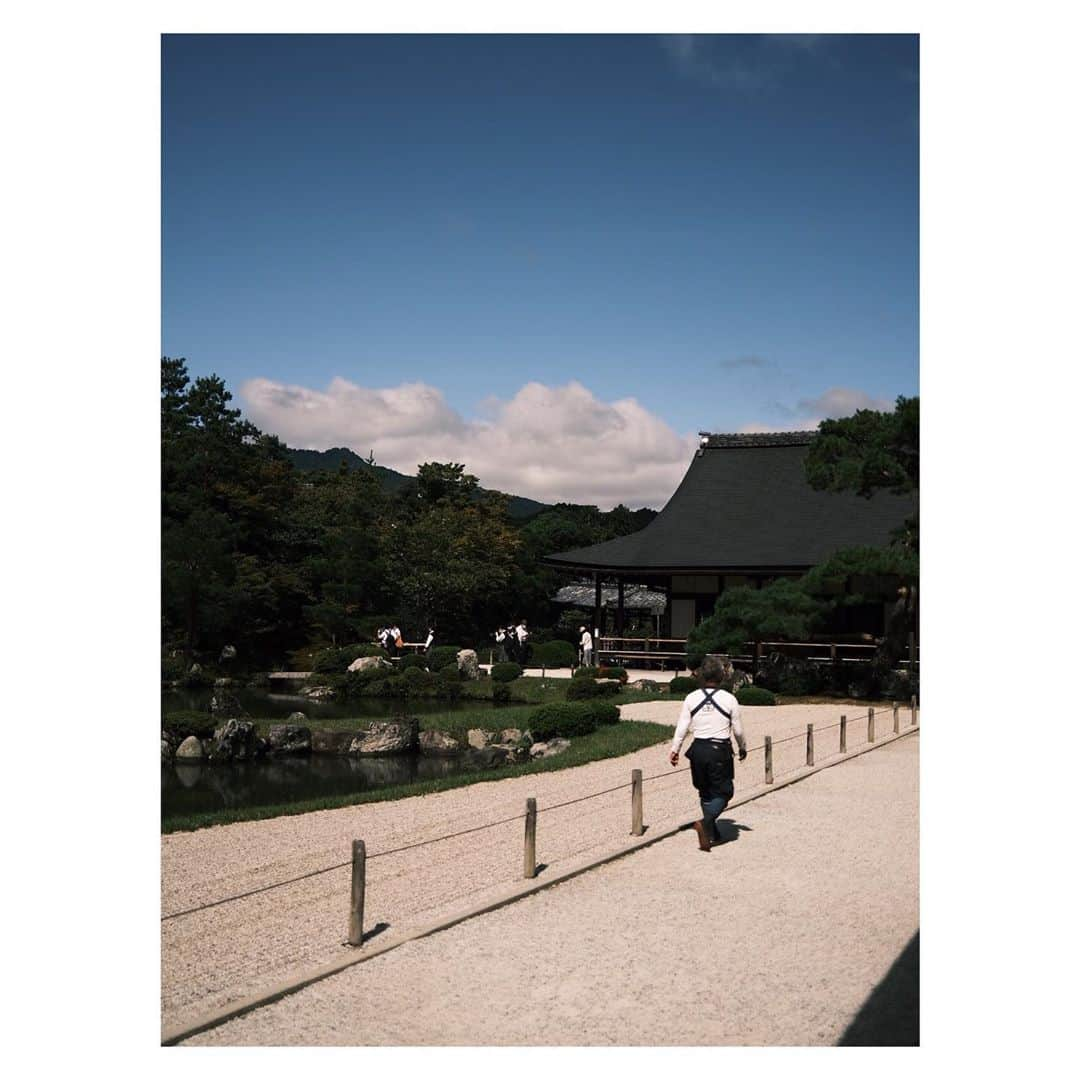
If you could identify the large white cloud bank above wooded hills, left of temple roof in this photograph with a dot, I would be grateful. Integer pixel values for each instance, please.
(550, 443)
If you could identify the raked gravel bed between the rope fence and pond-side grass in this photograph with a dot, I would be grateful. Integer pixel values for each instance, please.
(215, 956)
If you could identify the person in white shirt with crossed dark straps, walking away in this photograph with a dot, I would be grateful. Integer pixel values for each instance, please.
(712, 714)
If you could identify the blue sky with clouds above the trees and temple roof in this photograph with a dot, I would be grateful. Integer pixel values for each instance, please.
(384, 239)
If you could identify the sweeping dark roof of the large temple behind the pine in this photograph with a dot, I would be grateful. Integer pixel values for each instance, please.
(746, 504)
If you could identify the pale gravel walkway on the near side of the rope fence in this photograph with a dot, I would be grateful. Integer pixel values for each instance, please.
(776, 940)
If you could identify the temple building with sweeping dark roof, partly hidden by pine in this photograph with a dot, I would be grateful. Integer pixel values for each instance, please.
(744, 515)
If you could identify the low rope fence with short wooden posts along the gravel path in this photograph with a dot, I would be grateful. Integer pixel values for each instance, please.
(361, 858)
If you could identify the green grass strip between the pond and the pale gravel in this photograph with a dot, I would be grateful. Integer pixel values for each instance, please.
(612, 741)
